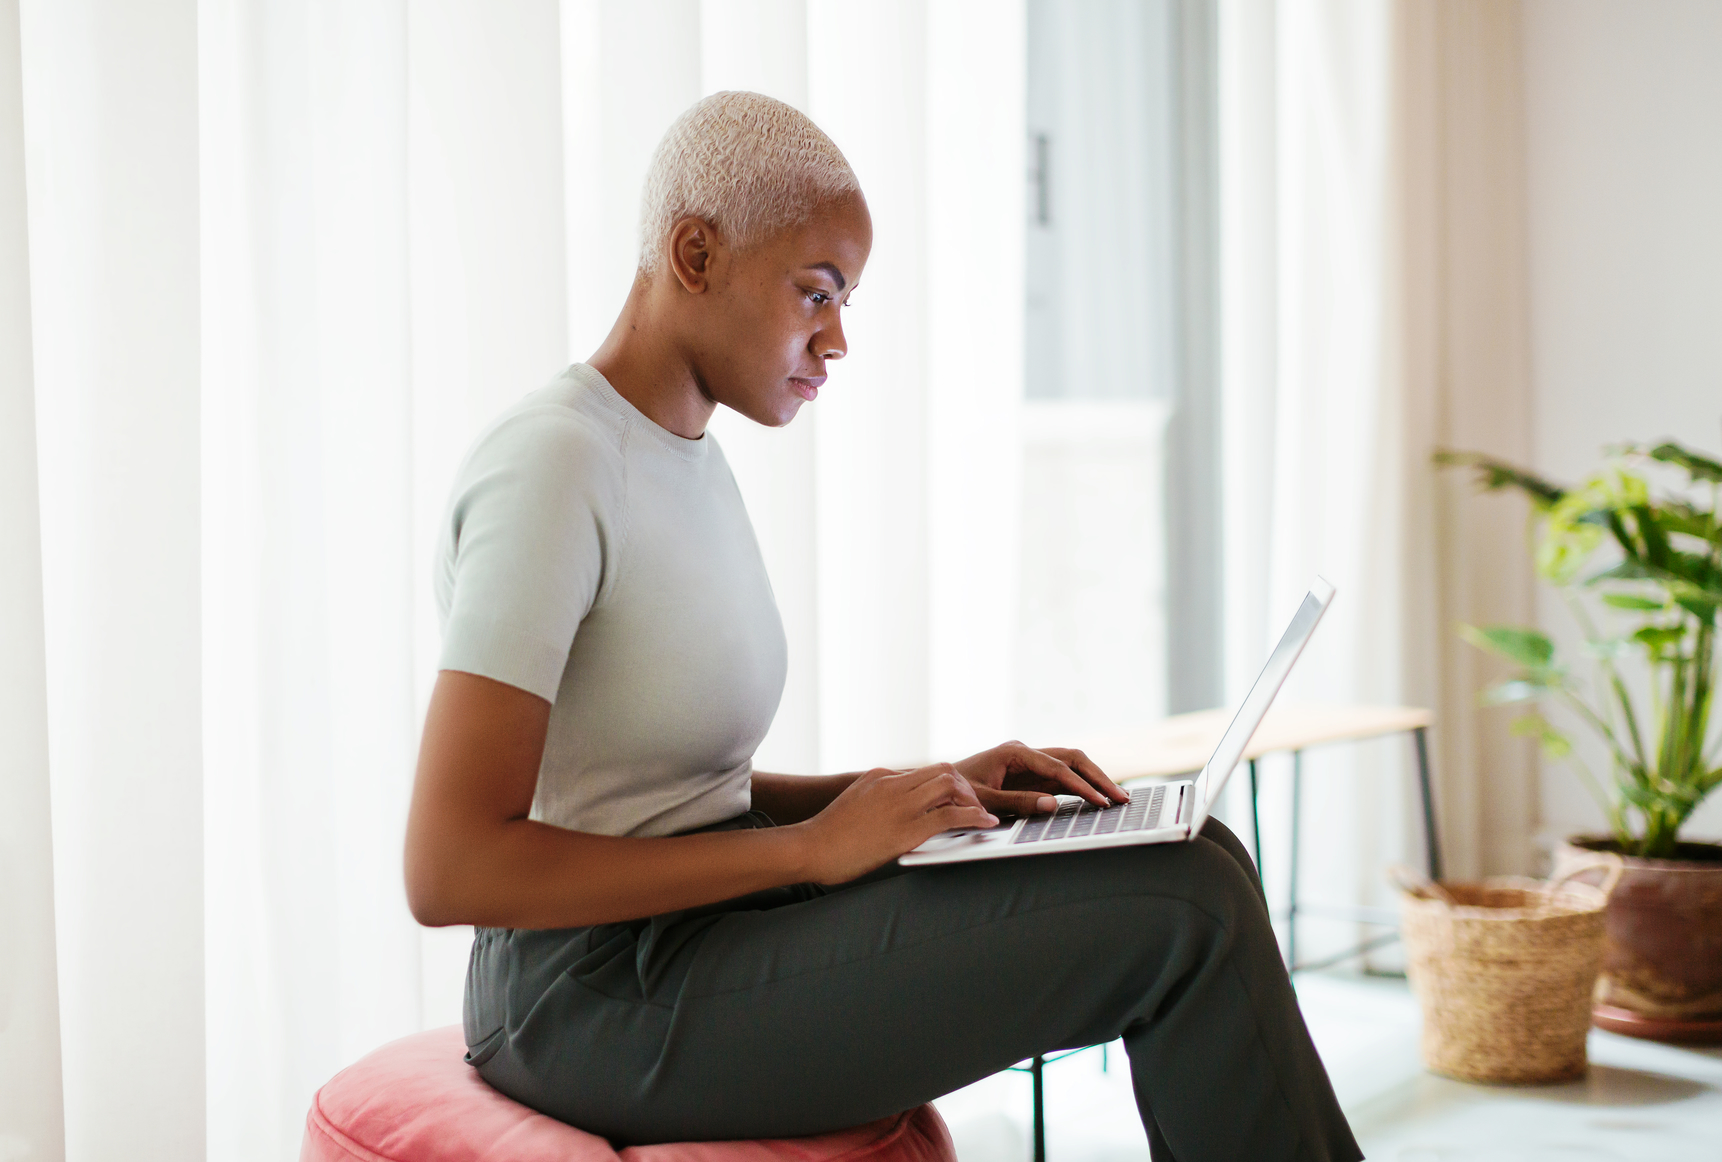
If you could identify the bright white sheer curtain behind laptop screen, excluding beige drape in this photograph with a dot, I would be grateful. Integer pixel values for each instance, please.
(1315, 462)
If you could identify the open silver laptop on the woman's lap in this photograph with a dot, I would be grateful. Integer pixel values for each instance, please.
(1160, 813)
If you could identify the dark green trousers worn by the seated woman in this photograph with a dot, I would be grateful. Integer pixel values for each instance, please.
(808, 1010)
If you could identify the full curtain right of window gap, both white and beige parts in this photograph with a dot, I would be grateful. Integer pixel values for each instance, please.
(1373, 312)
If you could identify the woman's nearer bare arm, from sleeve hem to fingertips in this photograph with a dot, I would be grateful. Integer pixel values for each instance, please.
(474, 856)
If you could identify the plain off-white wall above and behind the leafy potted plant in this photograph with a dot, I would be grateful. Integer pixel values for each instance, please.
(1623, 108)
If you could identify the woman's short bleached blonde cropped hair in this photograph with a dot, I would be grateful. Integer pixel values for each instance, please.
(745, 163)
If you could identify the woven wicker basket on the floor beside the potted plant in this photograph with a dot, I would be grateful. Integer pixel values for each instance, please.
(1504, 972)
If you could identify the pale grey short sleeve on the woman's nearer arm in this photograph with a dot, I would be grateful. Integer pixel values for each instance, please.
(524, 548)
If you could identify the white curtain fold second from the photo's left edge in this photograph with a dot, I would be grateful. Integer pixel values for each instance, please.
(111, 133)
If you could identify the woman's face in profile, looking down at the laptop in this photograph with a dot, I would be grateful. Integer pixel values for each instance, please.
(774, 314)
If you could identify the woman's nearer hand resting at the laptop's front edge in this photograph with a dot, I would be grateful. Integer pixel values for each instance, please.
(888, 813)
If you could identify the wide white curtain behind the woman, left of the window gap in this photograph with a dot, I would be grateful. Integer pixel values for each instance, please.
(285, 257)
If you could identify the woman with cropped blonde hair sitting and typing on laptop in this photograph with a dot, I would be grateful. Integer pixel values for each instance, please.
(674, 946)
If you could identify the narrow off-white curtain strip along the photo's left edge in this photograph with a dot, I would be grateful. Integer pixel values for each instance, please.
(32, 1125)
